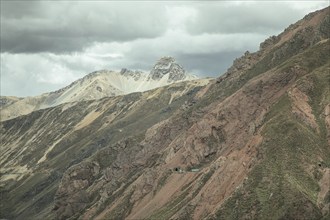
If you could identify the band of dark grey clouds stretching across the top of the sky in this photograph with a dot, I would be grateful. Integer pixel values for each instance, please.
(71, 26)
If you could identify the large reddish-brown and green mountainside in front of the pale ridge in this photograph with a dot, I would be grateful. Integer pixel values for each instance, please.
(253, 144)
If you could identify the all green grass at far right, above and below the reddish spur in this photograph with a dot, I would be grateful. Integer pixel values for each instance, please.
(284, 185)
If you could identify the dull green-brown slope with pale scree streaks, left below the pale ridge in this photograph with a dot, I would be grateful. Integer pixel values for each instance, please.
(33, 195)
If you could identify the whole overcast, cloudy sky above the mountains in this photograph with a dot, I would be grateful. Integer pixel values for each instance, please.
(46, 45)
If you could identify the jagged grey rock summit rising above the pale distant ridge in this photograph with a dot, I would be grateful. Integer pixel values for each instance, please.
(167, 66)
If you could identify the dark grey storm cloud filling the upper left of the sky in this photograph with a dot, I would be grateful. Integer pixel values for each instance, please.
(60, 27)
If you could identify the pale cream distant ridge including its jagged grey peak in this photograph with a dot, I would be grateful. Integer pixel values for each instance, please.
(98, 85)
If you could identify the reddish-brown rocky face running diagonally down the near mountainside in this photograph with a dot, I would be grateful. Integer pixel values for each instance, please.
(204, 155)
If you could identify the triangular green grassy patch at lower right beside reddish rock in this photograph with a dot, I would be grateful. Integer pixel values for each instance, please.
(279, 187)
